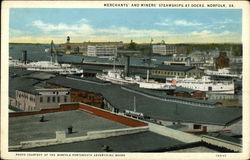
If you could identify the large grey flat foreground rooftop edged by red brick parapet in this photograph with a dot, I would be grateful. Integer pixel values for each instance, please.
(25, 128)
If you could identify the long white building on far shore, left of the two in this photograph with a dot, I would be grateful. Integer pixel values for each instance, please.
(102, 51)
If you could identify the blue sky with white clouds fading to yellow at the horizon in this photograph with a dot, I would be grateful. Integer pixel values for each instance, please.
(41, 25)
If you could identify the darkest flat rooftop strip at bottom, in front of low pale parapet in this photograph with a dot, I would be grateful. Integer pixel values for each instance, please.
(139, 142)
